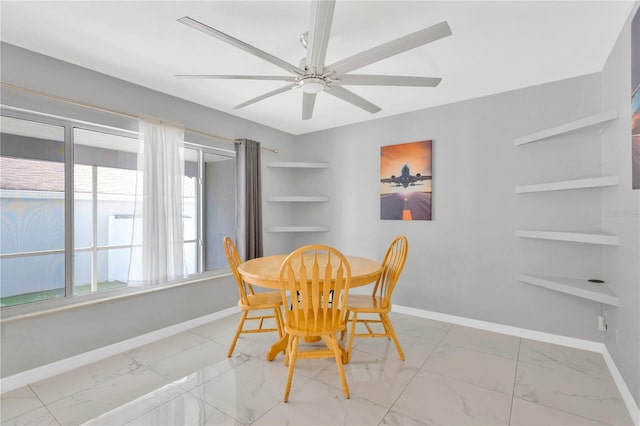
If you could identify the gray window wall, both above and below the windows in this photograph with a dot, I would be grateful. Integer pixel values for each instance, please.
(37, 341)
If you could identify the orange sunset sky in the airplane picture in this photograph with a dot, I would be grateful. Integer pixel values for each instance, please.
(417, 155)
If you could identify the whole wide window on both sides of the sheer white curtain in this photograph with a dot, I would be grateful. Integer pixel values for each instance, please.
(33, 255)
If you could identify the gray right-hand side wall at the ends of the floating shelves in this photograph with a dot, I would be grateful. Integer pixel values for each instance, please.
(621, 206)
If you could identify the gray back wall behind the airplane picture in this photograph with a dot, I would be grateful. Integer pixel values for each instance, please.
(465, 261)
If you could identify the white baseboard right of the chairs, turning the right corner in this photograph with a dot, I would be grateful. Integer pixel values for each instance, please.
(588, 345)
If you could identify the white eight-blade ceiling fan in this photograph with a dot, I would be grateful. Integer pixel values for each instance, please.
(313, 76)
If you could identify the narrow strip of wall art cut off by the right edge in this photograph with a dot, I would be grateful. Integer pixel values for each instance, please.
(635, 101)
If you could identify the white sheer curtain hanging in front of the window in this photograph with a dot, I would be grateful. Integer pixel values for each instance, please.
(158, 217)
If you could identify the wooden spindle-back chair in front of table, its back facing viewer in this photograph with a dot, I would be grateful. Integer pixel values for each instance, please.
(314, 282)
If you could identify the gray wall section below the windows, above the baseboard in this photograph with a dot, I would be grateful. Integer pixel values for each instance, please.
(36, 341)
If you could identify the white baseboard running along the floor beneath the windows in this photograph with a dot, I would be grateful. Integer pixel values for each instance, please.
(46, 371)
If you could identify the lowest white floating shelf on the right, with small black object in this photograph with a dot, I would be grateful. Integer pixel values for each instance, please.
(579, 287)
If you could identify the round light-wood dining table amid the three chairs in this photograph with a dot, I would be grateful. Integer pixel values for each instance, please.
(265, 272)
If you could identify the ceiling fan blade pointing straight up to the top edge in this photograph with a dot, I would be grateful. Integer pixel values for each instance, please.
(319, 29)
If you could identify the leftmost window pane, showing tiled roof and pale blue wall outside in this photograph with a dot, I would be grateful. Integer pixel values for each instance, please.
(32, 177)
